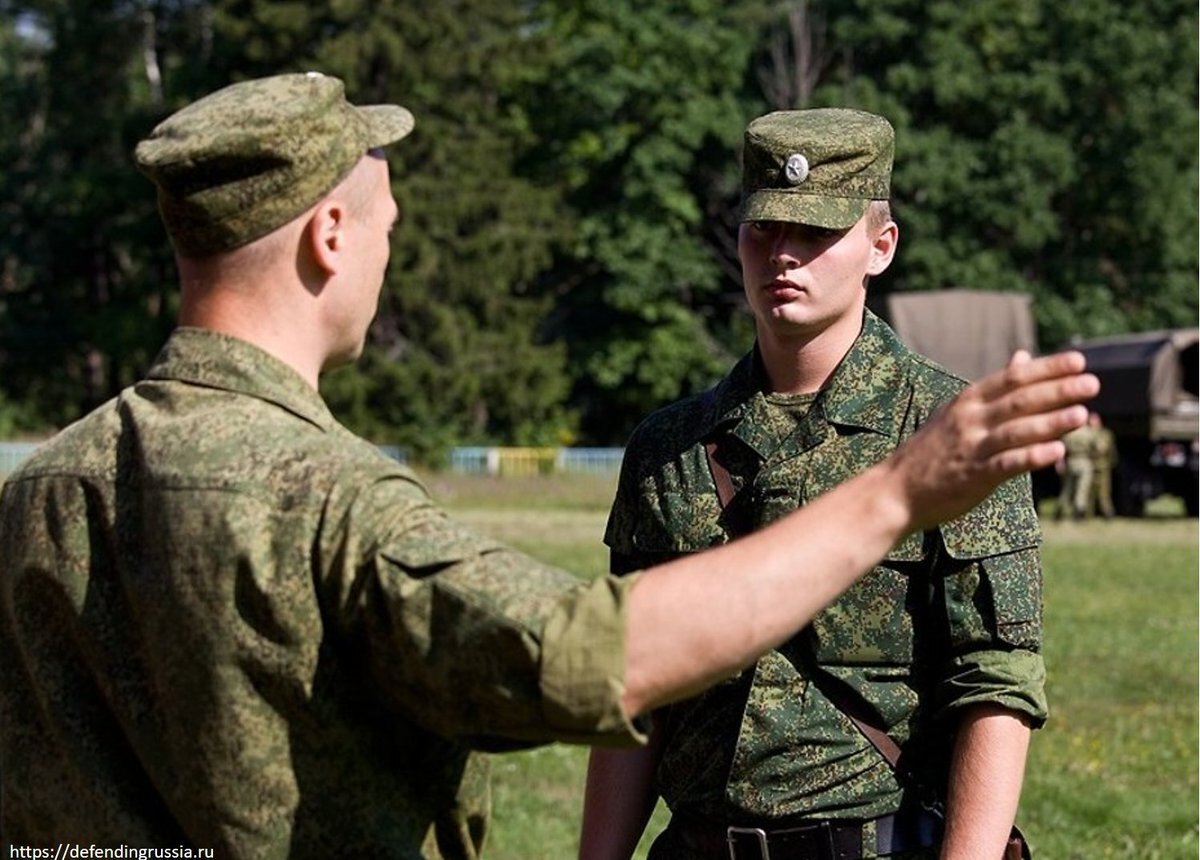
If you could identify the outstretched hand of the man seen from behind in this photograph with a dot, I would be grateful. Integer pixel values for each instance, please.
(1004, 425)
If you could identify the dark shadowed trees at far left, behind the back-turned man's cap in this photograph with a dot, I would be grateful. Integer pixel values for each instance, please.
(85, 308)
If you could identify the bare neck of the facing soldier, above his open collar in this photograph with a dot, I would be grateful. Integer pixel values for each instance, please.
(801, 364)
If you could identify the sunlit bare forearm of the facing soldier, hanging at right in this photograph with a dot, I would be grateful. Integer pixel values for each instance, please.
(986, 779)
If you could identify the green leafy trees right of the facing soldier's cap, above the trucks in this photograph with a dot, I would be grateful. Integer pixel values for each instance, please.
(1045, 148)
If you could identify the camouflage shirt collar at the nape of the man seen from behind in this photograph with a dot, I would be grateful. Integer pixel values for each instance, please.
(215, 360)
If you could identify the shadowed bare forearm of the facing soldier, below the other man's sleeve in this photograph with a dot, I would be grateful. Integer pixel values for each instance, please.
(619, 801)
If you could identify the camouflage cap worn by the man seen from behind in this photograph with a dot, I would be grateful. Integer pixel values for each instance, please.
(249, 159)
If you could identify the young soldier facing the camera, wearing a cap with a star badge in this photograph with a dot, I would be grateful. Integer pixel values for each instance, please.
(940, 642)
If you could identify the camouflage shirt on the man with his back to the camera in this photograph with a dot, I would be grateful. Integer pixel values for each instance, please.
(230, 623)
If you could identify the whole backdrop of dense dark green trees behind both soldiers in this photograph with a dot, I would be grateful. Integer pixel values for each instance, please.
(567, 257)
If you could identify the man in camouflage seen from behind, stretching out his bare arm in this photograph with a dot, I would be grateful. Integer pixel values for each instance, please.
(229, 623)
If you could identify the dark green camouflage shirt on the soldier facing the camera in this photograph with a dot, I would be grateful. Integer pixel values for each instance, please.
(951, 618)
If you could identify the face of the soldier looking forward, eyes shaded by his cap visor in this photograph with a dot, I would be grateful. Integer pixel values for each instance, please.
(803, 280)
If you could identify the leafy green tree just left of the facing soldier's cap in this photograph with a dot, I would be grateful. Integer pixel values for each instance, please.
(640, 118)
